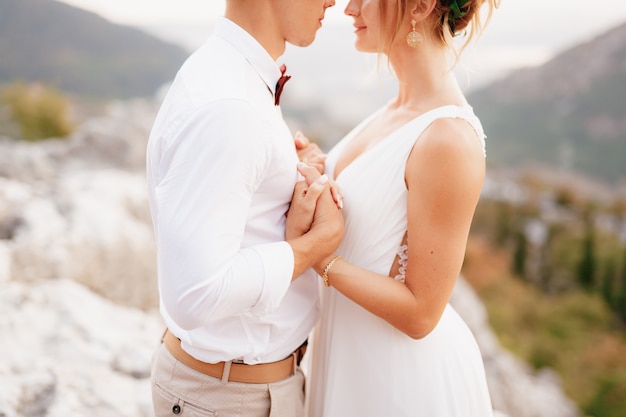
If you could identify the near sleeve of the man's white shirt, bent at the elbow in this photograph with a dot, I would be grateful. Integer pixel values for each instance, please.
(208, 172)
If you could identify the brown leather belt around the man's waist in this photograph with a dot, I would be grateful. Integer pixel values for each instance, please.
(264, 373)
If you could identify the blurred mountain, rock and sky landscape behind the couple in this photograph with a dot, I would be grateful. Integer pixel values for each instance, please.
(544, 281)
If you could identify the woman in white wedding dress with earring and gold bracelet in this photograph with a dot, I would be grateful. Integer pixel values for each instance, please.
(388, 343)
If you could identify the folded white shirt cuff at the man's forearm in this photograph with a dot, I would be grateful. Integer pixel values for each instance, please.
(278, 264)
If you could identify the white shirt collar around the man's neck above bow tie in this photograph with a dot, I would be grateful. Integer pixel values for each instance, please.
(251, 49)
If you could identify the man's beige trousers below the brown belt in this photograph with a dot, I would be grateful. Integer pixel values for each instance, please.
(180, 390)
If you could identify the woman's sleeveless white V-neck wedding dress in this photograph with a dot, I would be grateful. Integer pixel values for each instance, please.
(361, 366)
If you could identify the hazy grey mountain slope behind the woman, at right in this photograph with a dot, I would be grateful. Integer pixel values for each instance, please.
(568, 114)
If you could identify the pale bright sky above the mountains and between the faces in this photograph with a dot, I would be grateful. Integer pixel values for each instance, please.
(521, 33)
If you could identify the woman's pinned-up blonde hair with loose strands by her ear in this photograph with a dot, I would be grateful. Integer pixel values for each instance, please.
(470, 24)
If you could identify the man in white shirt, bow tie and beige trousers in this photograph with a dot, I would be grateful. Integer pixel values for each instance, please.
(237, 295)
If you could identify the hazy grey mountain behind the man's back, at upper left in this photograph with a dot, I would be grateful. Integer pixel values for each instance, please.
(80, 52)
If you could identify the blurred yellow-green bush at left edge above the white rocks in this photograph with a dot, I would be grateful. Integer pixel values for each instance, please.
(40, 111)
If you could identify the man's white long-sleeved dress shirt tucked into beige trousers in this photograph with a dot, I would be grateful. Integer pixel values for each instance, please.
(221, 167)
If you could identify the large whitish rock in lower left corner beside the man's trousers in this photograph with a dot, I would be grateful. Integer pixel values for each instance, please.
(66, 351)
